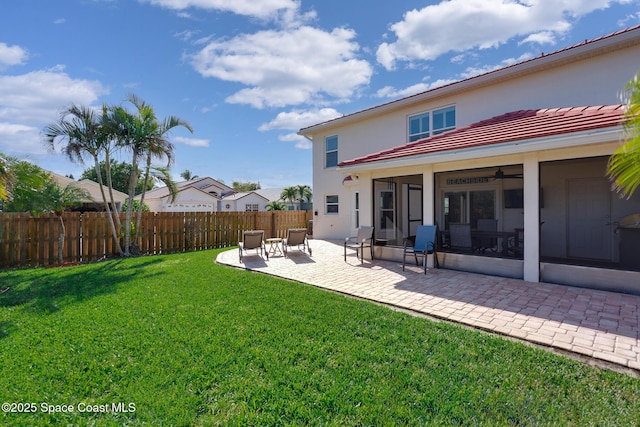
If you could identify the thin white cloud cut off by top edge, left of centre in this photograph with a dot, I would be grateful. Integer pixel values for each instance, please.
(263, 9)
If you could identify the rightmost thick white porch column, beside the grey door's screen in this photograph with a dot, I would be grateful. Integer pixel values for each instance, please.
(531, 174)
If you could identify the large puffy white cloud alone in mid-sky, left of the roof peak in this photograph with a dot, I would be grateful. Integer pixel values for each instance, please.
(288, 67)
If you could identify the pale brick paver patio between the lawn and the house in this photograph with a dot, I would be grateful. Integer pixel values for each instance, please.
(600, 325)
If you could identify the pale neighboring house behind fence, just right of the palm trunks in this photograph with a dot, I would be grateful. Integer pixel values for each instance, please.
(196, 195)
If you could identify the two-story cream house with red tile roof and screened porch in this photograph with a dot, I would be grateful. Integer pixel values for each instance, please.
(526, 146)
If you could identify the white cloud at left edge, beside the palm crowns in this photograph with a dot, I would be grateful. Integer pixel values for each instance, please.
(28, 102)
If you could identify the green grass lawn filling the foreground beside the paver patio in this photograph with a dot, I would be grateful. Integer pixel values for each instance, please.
(189, 342)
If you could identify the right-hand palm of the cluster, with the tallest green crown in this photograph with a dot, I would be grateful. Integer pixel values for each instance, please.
(144, 137)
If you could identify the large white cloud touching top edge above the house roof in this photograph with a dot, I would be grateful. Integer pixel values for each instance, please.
(459, 25)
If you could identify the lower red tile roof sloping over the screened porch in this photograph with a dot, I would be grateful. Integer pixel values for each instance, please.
(515, 126)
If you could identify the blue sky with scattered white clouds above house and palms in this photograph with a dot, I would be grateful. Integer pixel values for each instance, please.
(248, 74)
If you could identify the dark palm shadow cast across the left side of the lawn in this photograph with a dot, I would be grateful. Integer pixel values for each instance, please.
(47, 290)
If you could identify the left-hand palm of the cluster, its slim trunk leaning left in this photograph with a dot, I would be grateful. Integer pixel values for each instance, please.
(81, 133)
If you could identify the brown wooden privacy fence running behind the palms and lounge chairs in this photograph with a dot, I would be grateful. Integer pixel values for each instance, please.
(26, 240)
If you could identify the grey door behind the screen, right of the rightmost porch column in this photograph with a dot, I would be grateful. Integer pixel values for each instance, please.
(590, 233)
